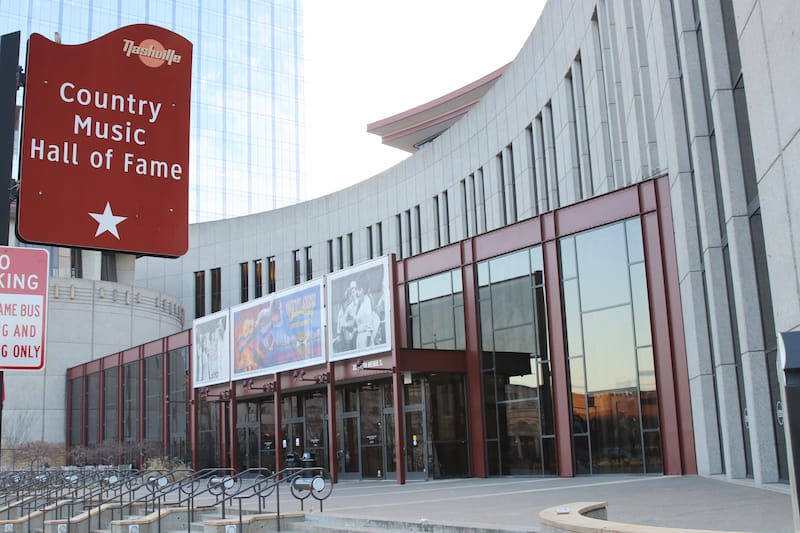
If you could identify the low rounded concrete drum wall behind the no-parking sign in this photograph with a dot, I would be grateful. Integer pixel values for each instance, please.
(86, 320)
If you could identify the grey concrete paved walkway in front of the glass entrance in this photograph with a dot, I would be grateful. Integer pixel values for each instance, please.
(514, 503)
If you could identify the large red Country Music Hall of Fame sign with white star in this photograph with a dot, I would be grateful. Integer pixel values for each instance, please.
(104, 162)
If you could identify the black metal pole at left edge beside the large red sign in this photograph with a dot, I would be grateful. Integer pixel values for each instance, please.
(9, 82)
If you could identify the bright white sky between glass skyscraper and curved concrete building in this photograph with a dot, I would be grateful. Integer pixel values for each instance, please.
(366, 60)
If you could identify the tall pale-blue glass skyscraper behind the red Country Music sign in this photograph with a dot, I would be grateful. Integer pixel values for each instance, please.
(247, 124)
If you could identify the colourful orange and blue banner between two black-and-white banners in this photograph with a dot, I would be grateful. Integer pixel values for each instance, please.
(280, 332)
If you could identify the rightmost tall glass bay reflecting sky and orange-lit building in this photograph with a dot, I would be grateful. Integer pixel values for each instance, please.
(613, 386)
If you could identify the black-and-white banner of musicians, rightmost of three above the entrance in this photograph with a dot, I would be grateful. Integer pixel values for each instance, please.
(359, 310)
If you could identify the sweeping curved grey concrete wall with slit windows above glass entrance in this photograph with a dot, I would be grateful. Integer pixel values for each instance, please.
(602, 95)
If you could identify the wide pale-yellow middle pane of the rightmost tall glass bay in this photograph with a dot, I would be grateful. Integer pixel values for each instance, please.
(610, 355)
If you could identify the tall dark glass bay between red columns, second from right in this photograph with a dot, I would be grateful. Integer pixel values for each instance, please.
(513, 324)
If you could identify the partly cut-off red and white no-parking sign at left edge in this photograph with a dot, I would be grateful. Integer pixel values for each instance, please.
(23, 307)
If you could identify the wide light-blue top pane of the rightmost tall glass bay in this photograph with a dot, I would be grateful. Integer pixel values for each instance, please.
(602, 267)
